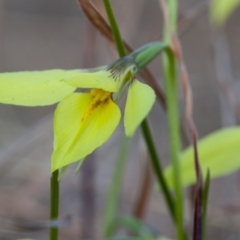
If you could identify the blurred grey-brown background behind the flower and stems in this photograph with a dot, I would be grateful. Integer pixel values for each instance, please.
(48, 34)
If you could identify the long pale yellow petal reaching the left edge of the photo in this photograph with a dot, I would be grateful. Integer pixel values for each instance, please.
(35, 88)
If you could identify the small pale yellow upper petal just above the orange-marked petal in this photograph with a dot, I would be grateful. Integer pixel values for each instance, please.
(101, 79)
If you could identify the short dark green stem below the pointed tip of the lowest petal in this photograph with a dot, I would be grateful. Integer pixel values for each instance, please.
(54, 202)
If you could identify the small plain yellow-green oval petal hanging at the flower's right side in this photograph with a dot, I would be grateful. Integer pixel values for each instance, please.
(140, 100)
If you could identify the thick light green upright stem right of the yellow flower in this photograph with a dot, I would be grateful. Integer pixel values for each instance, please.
(171, 88)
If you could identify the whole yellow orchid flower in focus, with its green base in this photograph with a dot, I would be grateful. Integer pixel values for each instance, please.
(83, 121)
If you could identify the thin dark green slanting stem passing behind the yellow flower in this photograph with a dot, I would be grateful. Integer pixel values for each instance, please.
(144, 126)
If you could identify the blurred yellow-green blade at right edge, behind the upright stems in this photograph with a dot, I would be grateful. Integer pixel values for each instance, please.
(219, 152)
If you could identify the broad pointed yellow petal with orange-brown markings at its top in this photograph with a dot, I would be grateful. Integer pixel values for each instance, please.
(79, 128)
